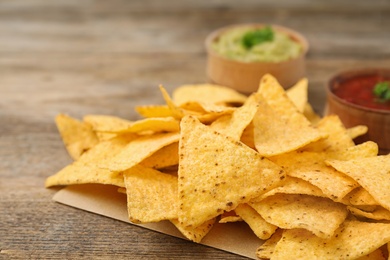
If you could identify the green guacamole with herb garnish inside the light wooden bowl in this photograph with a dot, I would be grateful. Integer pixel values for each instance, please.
(276, 47)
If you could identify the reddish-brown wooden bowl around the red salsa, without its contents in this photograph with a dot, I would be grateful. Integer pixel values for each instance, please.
(377, 120)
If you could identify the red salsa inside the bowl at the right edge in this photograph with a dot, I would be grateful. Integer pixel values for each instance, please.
(359, 91)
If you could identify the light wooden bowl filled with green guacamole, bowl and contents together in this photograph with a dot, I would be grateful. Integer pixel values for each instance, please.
(239, 55)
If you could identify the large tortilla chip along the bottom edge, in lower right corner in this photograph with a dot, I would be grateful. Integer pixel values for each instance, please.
(352, 240)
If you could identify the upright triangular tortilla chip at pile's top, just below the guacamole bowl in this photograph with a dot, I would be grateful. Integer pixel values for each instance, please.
(277, 131)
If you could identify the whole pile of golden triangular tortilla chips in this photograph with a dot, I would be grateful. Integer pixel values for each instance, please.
(213, 155)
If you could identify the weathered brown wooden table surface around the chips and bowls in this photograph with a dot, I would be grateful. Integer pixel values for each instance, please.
(105, 57)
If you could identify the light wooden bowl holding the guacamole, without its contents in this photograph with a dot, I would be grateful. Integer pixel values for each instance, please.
(245, 76)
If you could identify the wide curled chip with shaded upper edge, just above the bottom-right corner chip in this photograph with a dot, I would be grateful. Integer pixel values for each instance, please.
(321, 216)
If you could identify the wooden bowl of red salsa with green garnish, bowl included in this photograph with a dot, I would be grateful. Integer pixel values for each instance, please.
(362, 97)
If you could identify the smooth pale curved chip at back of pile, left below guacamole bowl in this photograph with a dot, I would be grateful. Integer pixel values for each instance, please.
(207, 93)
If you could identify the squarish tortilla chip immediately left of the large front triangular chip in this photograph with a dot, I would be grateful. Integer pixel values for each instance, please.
(151, 195)
